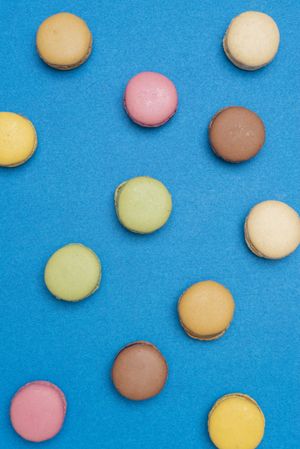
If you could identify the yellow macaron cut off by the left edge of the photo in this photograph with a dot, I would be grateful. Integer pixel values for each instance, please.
(18, 139)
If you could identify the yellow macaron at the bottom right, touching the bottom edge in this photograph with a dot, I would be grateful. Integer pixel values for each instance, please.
(236, 421)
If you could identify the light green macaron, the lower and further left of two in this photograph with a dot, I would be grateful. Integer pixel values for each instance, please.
(73, 272)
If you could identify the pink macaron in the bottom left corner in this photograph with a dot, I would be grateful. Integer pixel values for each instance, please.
(38, 410)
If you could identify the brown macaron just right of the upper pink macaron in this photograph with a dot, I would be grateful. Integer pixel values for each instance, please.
(236, 134)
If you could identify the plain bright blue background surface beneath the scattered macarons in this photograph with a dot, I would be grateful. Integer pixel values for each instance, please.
(87, 146)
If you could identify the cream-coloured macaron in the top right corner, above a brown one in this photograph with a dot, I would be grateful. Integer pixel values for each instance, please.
(251, 40)
